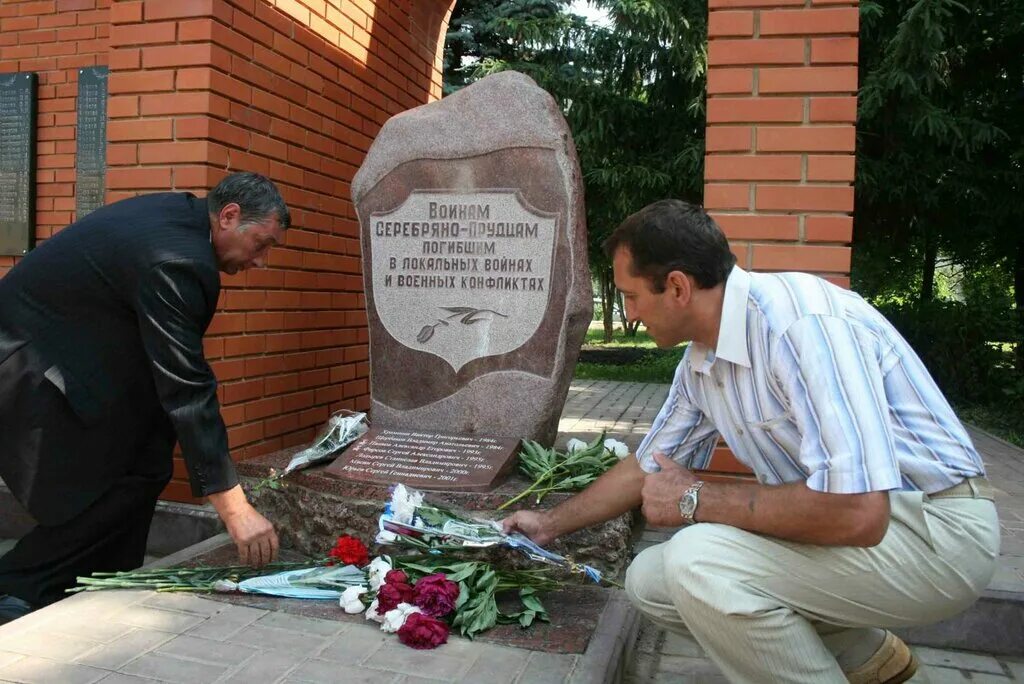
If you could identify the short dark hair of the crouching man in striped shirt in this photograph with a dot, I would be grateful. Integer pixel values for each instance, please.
(672, 235)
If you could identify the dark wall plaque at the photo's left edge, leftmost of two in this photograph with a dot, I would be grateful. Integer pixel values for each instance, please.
(18, 163)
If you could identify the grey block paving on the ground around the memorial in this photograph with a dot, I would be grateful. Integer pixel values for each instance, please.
(143, 637)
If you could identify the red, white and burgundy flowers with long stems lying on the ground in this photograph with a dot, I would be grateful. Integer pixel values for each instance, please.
(421, 598)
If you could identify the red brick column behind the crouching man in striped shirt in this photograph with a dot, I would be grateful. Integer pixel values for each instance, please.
(782, 107)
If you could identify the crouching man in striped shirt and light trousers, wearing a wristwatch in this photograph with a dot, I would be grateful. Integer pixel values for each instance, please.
(871, 508)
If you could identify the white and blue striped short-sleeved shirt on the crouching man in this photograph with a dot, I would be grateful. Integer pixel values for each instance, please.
(810, 383)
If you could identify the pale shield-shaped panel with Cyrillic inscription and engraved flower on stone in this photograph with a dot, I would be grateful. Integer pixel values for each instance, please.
(448, 267)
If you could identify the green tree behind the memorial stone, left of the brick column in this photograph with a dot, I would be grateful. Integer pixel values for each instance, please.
(633, 95)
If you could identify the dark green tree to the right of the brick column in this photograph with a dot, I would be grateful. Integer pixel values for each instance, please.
(941, 148)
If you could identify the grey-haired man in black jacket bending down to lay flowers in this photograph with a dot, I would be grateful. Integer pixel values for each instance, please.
(102, 370)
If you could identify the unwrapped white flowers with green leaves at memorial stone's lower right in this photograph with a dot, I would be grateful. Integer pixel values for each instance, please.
(571, 472)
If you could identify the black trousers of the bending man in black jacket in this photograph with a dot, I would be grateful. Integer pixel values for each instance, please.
(109, 536)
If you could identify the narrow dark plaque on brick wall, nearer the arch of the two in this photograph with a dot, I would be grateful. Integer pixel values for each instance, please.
(91, 157)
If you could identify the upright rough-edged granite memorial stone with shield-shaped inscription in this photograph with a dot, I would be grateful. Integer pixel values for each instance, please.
(475, 256)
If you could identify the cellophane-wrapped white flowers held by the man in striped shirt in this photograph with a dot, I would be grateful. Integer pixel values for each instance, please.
(410, 516)
